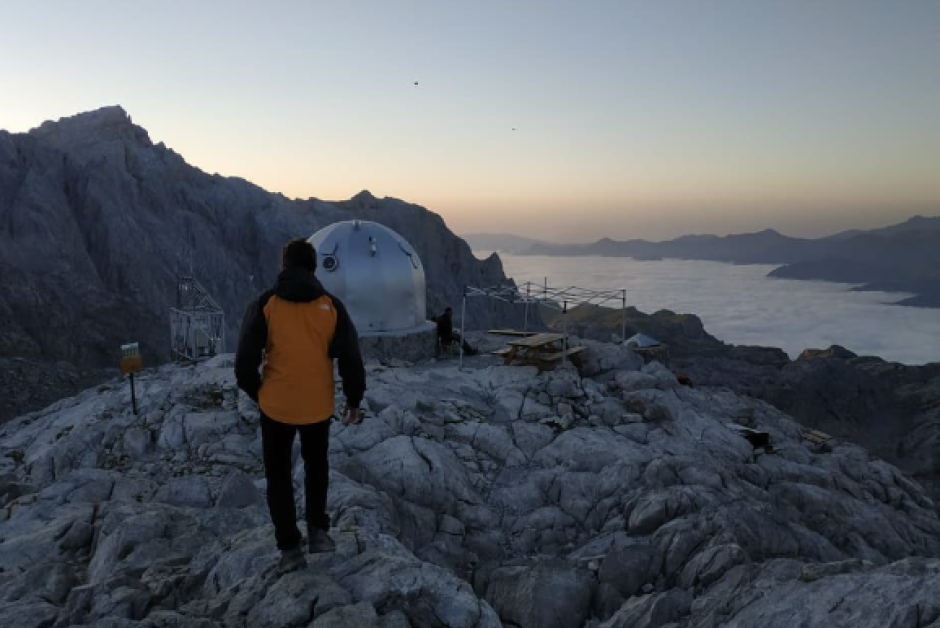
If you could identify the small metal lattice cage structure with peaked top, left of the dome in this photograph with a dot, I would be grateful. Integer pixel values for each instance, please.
(197, 323)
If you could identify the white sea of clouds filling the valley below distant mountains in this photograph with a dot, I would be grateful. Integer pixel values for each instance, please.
(741, 305)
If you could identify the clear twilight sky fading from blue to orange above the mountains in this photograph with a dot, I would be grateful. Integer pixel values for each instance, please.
(633, 119)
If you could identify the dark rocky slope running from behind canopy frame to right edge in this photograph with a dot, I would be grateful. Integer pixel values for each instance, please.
(891, 409)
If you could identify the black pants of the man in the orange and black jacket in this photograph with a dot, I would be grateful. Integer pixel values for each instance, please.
(277, 441)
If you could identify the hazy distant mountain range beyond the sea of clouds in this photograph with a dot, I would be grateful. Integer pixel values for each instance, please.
(900, 258)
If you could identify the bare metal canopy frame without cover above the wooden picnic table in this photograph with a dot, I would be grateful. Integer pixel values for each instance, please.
(543, 295)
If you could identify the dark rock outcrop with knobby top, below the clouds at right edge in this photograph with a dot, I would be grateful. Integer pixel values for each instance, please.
(891, 409)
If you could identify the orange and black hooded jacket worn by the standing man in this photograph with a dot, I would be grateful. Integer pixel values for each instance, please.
(298, 329)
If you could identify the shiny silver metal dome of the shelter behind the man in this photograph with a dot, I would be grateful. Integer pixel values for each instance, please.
(375, 272)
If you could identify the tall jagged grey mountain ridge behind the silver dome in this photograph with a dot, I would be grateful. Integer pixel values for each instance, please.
(97, 222)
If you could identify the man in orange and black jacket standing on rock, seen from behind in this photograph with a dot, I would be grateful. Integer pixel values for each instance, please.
(299, 329)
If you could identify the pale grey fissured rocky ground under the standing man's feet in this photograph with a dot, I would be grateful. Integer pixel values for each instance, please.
(469, 497)
